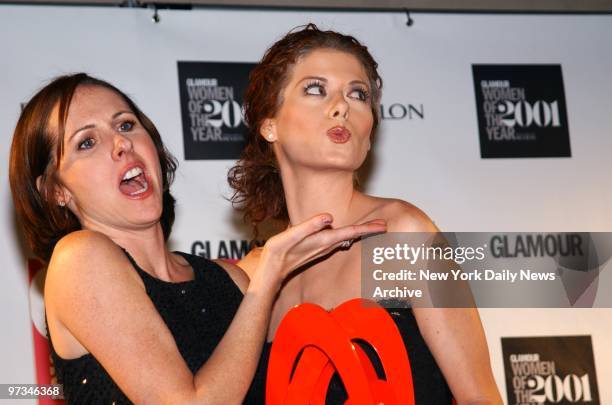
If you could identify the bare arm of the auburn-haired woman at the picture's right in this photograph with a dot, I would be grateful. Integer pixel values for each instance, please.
(454, 336)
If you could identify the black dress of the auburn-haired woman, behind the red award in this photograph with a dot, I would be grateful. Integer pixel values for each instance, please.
(430, 387)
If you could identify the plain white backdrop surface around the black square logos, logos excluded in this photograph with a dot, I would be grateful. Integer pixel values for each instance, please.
(432, 162)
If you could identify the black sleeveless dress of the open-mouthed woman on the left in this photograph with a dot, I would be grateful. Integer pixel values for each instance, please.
(197, 312)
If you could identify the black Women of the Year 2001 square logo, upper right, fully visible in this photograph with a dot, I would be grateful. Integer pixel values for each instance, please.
(521, 111)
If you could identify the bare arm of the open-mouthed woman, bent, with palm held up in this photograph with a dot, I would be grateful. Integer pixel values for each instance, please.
(93, 293)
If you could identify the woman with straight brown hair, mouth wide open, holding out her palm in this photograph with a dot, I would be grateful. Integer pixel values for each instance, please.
(128, 320)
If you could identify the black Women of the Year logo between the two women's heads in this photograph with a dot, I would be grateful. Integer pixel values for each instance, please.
(211, 108)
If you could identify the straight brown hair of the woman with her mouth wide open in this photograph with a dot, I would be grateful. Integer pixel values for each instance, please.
(36, 151)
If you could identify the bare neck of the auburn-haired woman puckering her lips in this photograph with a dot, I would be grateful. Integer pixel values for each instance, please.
(311, 192)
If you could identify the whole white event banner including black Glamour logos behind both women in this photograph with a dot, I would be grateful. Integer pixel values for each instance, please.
(490, 123)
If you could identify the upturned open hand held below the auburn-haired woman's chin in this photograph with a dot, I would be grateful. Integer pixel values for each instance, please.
(309, 240)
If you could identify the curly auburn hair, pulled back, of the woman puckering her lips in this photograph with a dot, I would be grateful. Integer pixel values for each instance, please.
(255, 179)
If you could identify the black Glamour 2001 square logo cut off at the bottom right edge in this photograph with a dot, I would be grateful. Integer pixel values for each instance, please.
(550, 370)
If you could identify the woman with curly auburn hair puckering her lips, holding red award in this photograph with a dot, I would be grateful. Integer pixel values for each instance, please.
(312, 106)
